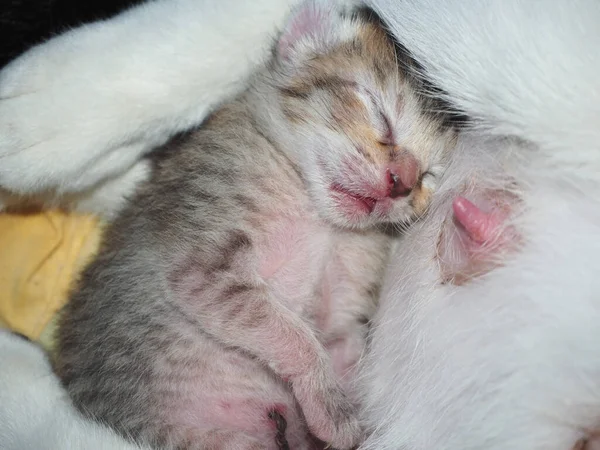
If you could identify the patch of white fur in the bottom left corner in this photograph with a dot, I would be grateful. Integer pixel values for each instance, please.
(35, 413)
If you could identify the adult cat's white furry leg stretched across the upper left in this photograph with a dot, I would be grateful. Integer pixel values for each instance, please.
(84, 106)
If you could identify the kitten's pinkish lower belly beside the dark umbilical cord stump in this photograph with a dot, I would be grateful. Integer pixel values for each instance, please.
(205, 388)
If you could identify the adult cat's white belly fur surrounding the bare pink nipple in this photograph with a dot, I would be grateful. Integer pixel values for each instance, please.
(512, 360)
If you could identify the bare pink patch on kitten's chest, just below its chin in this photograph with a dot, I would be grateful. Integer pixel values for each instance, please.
(292, 259)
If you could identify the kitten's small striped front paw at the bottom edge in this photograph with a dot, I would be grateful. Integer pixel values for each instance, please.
(328, 412)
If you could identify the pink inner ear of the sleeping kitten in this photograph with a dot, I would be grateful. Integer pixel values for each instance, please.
(310, 21)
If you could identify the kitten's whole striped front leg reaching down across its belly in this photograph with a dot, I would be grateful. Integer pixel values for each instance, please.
(240, 312)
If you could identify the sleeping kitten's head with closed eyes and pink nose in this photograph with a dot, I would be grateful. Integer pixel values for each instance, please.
(368, 148)
